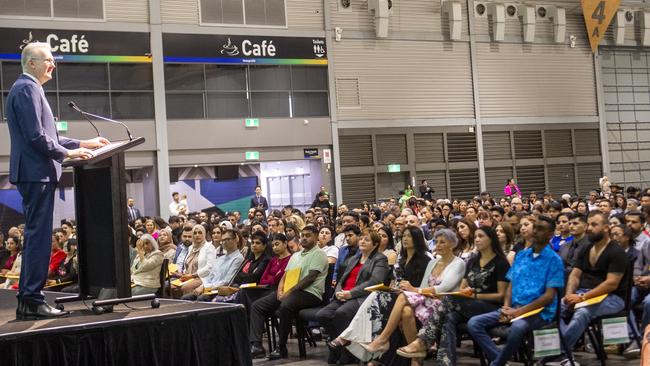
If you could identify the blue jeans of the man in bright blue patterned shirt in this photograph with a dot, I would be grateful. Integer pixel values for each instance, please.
(479, 326)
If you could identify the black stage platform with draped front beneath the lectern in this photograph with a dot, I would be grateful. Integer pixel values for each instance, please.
(178, 333)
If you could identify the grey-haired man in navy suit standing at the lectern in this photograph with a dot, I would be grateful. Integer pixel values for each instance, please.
(35, 168)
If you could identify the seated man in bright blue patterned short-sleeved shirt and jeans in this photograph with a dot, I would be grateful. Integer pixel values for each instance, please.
(535, 276)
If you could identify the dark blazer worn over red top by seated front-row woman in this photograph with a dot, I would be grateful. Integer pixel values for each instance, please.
(373, 272)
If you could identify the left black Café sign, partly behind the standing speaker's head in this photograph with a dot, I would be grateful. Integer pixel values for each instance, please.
(78, 46)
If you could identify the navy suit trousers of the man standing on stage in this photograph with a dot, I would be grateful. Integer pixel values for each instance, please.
(38, 207)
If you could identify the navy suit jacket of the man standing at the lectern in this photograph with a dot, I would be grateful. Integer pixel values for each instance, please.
(36, 148)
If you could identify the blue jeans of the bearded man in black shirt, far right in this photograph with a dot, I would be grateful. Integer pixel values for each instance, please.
(580, 318)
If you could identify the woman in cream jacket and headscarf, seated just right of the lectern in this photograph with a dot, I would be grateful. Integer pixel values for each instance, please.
(145, 270)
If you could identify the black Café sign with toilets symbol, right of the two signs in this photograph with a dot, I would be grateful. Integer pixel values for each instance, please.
(229, 49)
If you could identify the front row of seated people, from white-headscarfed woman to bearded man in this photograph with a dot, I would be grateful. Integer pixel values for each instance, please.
(357, 321)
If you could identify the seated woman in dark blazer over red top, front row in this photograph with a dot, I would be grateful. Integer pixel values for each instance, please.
(368, 267)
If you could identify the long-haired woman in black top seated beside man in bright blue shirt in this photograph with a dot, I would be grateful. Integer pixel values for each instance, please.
(482, 290)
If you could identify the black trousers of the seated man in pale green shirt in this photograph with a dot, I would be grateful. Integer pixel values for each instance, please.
(287, 309)
